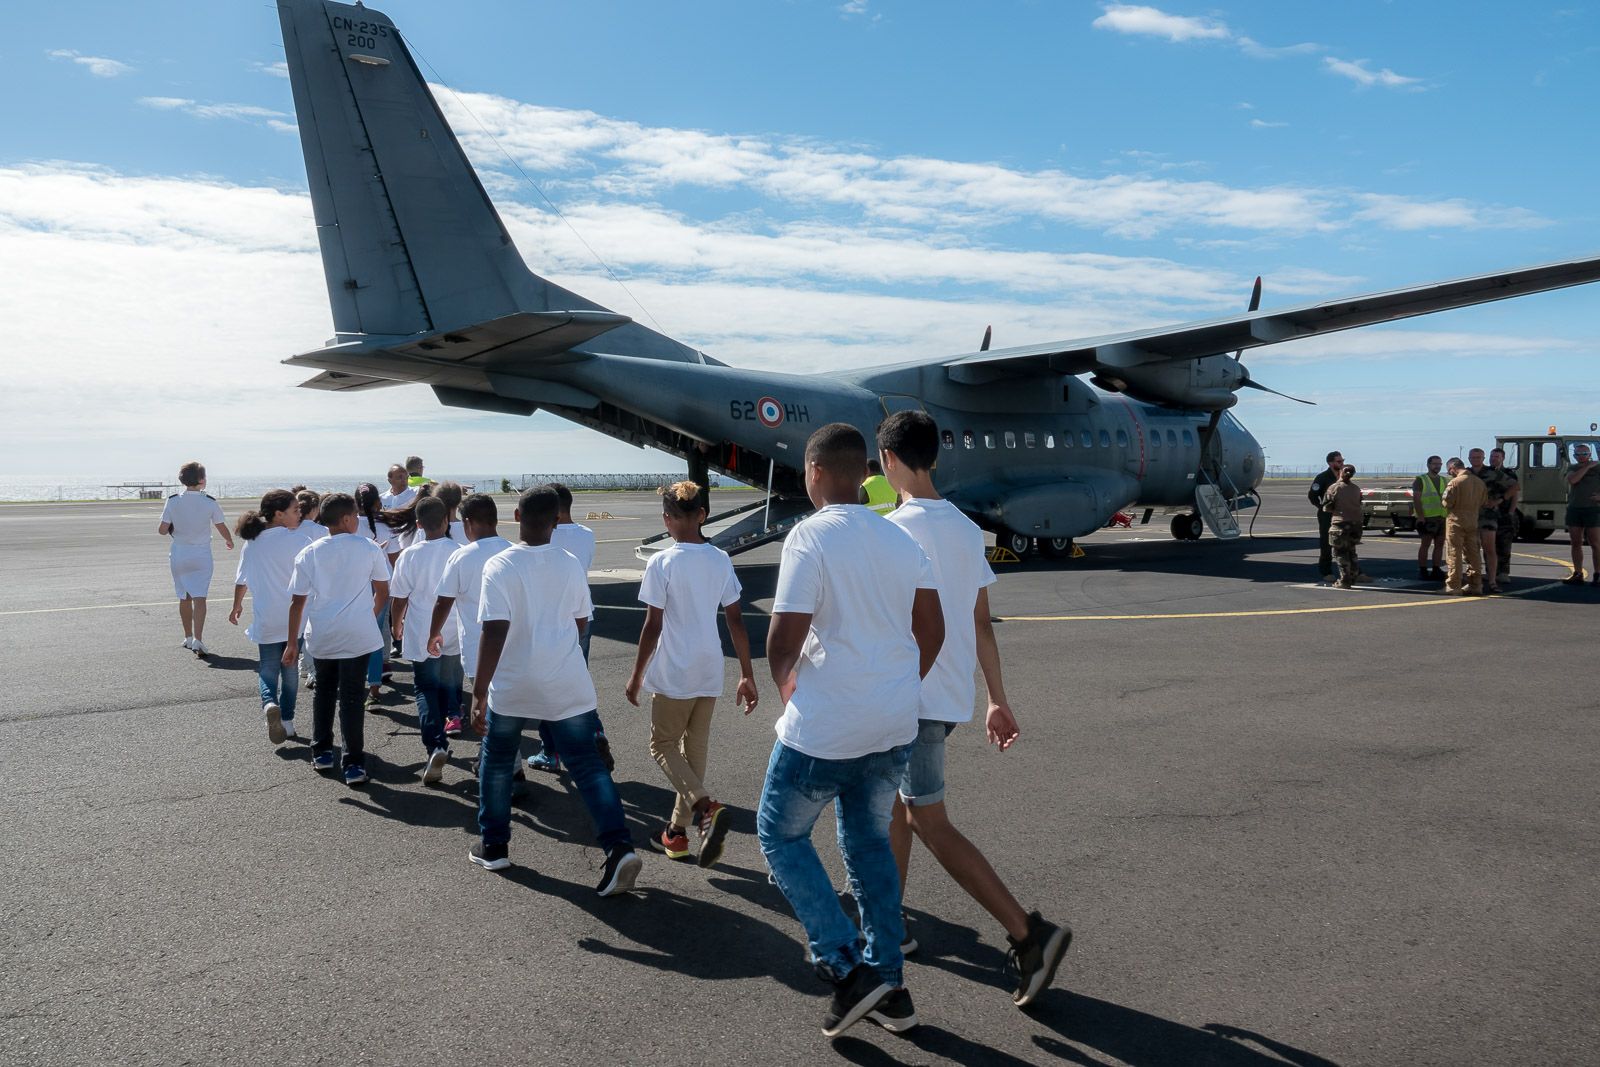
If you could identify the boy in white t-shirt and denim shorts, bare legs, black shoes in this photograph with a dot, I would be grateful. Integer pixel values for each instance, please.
(910, 447)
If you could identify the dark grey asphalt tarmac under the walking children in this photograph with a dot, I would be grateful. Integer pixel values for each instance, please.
(1290, 825)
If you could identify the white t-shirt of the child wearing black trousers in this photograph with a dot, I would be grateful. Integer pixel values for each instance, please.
(337, 578)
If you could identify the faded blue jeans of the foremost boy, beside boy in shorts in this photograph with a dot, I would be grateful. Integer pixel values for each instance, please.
(798, 789)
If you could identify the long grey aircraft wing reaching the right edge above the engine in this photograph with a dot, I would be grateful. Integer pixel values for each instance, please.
(1193, 342)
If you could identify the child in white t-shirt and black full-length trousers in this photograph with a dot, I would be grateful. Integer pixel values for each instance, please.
(338, 589)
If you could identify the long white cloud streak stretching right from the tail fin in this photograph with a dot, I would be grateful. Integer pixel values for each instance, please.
(634, 162)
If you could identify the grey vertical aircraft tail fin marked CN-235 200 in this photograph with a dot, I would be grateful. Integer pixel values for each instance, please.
(410, 241)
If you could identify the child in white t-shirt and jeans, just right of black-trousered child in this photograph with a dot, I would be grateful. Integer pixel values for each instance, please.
(438, 676)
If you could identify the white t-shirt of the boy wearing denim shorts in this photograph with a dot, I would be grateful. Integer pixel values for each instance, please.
(956, 546)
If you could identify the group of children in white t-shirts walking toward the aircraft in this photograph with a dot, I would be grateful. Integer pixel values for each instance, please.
(878, 629)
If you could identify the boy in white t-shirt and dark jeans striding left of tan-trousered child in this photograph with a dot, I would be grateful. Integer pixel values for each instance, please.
(535, 605)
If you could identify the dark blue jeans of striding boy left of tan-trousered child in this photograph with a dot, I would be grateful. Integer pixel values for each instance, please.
(575, 740)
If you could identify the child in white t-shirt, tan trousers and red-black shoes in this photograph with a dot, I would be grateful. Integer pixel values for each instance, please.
(681, 663)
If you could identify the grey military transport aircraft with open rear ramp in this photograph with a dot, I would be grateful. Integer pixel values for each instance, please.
(426, 287)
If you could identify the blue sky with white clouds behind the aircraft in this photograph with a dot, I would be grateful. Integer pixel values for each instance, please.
(812, 185)
